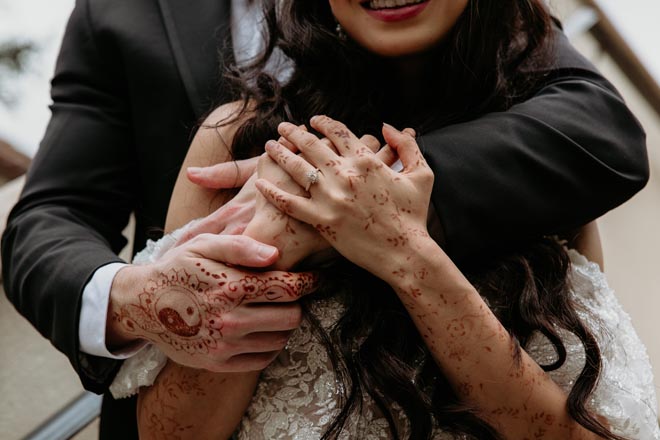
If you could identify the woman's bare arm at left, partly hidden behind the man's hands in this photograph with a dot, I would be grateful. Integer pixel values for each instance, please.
(197, 403)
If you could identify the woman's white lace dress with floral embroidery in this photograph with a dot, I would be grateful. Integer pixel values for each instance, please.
(296, 396)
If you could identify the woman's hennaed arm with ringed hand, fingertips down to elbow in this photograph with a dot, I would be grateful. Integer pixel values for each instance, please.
(376, 218)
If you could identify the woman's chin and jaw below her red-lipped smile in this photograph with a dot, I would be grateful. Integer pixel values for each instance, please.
(393, 39)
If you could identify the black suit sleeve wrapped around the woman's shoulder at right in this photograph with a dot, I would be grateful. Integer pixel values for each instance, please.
(562, 158)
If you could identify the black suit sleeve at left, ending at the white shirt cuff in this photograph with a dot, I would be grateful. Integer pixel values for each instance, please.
(77, 198)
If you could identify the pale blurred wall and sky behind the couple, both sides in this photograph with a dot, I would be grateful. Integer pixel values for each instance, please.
(35, 380)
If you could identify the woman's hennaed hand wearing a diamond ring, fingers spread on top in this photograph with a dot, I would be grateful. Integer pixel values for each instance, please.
(368, 212)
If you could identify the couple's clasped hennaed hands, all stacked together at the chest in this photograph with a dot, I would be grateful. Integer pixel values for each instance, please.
(204, 312)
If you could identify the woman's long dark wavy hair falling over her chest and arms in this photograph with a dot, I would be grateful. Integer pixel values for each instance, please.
(495, 56)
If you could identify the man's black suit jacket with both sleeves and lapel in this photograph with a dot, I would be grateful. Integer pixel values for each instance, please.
(134, 78)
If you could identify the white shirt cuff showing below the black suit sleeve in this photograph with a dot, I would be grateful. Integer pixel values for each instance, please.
(94, 315)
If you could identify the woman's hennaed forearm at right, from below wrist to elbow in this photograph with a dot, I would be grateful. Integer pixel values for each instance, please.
(476, 353)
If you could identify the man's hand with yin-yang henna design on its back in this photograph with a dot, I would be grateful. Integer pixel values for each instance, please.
(206, 314)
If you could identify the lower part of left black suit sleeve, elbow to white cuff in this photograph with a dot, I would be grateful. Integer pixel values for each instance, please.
(48, 257)
